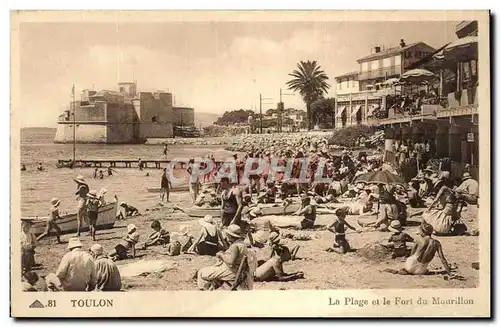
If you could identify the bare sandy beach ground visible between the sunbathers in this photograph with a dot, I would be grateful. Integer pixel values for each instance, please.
(322, 270)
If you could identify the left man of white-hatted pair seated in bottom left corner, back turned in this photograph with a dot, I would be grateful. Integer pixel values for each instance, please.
(77, 270)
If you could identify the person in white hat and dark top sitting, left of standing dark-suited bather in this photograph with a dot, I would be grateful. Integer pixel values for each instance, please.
(209, 241)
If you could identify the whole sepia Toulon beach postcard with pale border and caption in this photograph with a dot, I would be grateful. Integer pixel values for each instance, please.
(250, 164)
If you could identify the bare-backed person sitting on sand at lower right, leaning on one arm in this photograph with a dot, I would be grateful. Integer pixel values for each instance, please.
(422, 254)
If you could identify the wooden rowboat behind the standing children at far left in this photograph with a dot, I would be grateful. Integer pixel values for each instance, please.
(68, 223)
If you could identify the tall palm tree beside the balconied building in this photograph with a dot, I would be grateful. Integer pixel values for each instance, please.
(311, 83)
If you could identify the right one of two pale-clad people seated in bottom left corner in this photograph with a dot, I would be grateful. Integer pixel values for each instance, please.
(107, 274)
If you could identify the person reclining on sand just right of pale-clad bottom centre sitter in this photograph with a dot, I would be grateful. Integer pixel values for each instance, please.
(272, 269)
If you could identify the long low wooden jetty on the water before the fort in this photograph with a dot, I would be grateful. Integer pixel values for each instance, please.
(120, 163)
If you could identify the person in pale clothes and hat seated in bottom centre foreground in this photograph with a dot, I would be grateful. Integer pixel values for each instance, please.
(224, 270)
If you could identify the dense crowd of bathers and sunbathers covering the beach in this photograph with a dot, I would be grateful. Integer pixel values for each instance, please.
(381, 196)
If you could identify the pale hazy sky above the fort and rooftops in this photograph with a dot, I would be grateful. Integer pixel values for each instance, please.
(211, 66)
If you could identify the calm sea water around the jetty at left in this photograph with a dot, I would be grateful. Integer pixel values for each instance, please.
(130, 185)
